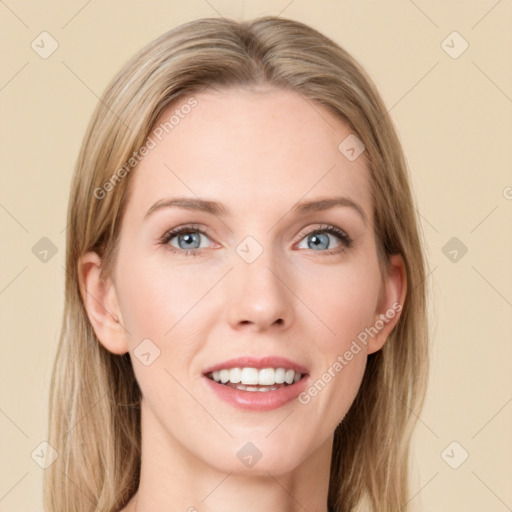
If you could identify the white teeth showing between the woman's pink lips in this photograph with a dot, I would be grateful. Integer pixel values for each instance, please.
(247, 377)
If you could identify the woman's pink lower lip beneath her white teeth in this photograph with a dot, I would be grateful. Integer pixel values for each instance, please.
(257, 400)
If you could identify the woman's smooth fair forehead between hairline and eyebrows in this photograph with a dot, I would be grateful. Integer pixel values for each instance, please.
(249, 148)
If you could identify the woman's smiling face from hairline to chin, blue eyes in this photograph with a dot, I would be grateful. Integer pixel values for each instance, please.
(262, 269)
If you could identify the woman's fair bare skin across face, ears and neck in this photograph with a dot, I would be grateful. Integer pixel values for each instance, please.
(258, 152)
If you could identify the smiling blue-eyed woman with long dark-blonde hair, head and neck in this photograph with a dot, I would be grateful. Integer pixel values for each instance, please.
(245, 321)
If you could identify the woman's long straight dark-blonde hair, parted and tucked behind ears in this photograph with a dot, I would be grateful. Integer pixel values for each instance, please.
(95, 399)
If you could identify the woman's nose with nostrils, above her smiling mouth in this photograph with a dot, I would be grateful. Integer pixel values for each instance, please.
(259, 295)
